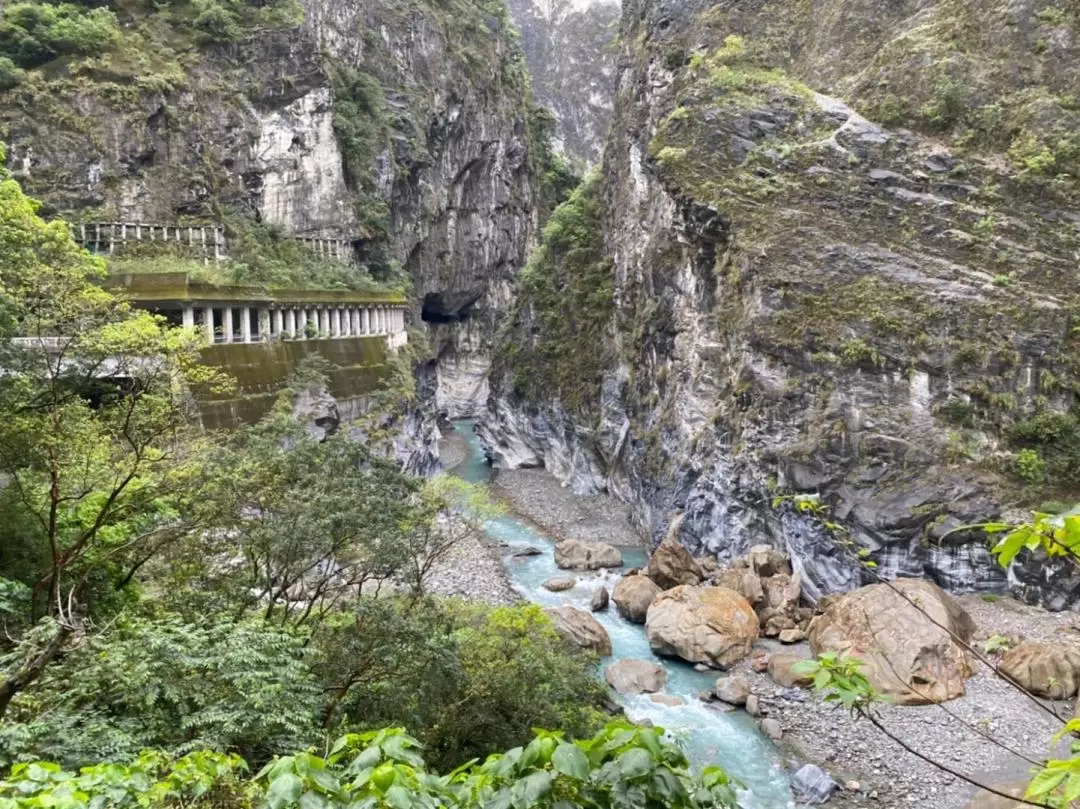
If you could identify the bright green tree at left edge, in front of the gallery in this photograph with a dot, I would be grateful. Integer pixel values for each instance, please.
(94, 428)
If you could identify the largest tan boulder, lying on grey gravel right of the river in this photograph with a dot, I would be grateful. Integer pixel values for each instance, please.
(907, 656)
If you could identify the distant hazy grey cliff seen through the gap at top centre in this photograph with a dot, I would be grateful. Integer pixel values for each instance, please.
(570, 48)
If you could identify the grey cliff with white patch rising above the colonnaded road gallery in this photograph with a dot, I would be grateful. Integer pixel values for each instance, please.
(402, 127)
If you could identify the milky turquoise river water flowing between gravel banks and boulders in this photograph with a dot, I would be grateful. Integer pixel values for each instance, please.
(730, 740)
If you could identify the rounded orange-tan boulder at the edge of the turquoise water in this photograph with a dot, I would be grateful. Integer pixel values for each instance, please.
(711, 626)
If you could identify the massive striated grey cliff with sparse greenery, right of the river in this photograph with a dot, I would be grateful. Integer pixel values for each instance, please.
(842, 242)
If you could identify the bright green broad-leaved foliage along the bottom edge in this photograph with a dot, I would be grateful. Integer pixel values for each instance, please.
(620, 768)
